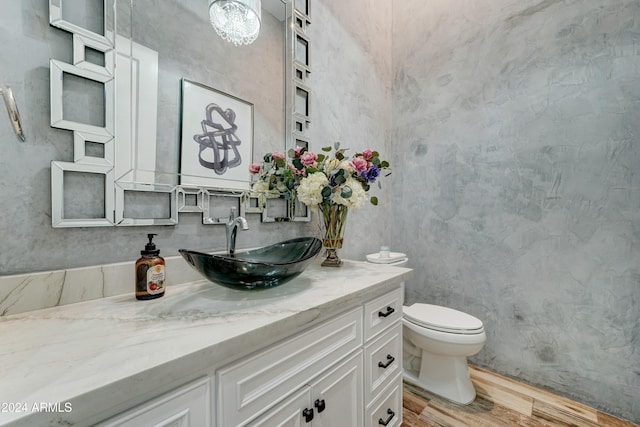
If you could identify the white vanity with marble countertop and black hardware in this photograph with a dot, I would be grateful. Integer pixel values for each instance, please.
(324, 348)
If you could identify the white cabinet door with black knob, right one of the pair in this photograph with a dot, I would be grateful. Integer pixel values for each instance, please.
(337, 396)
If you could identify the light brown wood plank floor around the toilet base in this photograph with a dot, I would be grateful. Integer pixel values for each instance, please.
(501, 402)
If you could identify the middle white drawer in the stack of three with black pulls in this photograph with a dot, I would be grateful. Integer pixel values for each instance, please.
(382, 361)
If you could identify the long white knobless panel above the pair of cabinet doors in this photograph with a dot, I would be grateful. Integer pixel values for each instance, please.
(247, 388)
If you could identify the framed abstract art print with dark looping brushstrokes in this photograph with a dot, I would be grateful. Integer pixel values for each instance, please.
(217, 138)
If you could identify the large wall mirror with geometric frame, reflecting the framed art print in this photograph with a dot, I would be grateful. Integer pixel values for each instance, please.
(141, 71)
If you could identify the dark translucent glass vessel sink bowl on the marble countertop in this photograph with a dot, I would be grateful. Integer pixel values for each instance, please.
(259, 268)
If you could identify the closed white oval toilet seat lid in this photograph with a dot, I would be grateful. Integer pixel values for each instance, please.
(442, 319)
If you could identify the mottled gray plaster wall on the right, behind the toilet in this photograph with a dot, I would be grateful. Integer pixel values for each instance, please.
(517, 183)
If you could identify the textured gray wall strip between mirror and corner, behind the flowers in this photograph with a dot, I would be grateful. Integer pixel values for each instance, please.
(351, 81)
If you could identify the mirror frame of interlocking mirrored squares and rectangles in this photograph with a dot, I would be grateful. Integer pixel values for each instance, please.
(112, 164)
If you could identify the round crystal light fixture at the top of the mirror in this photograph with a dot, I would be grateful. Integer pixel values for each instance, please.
(236, 21)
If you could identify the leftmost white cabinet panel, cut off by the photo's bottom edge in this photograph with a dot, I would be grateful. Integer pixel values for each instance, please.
(188, 406)
